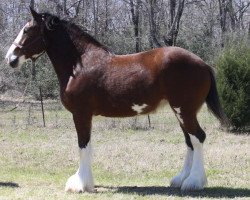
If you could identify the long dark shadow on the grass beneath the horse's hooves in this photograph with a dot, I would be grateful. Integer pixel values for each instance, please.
(212, 192)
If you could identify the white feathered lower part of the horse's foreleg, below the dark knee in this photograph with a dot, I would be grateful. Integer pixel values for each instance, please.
(82, 180)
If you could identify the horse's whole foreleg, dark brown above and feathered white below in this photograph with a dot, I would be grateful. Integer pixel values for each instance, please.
(82, 180)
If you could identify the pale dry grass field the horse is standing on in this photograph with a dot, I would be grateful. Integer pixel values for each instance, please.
(130, 161)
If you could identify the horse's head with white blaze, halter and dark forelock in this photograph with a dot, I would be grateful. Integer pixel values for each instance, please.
(30, 42)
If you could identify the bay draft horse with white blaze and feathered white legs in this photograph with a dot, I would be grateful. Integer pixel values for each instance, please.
(94, 81)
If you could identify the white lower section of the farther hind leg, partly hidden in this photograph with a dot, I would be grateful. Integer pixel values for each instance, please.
(178, 180)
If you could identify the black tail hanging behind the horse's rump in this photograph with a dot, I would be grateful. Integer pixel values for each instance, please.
(213, 102)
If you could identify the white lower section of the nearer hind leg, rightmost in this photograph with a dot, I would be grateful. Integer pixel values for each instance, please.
(197, 178)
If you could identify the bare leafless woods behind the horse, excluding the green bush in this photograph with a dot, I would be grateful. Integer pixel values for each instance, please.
(204, 27)
